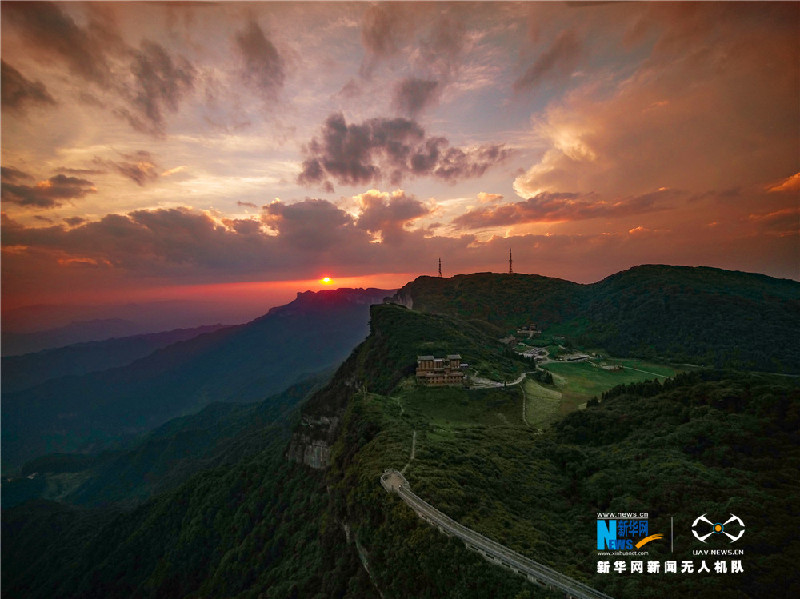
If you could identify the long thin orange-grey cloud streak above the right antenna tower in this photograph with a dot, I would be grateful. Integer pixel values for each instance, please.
(555, 207)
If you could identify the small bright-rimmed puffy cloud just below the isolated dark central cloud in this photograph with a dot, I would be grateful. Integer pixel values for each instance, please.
(388, 213)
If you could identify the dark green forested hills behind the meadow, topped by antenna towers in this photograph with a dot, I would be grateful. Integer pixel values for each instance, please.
(698, 315)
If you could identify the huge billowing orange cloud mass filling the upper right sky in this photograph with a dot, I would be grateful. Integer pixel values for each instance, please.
(683, 113)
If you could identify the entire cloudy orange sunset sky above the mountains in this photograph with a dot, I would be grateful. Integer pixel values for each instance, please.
(170, 150)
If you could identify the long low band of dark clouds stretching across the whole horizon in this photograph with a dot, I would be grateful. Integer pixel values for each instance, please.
(182, 246)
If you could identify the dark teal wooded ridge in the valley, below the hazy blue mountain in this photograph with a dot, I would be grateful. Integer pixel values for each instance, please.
(220, 434)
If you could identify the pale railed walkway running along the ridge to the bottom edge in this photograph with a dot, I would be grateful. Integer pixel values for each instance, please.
(395, 482)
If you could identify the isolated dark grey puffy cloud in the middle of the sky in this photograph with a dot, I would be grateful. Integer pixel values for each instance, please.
(389, 148)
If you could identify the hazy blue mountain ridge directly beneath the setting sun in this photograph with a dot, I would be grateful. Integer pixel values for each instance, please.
(243, 363)
